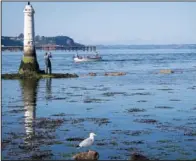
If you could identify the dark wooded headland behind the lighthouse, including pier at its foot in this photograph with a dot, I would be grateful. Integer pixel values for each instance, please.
(44, 43)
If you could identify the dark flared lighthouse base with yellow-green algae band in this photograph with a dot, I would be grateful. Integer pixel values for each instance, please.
(29, 64)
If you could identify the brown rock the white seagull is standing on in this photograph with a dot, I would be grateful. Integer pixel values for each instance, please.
(90, 155)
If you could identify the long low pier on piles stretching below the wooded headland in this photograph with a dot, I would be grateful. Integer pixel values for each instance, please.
(51, 47)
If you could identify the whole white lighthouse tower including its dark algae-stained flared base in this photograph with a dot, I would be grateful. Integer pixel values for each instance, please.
(29, 61)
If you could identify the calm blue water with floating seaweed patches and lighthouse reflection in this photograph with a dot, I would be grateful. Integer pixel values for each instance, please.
(143, 111)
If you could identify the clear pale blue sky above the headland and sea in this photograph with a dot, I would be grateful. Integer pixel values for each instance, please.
(107, 23)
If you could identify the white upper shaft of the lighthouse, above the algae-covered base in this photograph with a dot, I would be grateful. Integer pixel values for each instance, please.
(29, 30)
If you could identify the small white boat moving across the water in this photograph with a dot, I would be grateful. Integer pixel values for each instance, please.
(88, 58)
